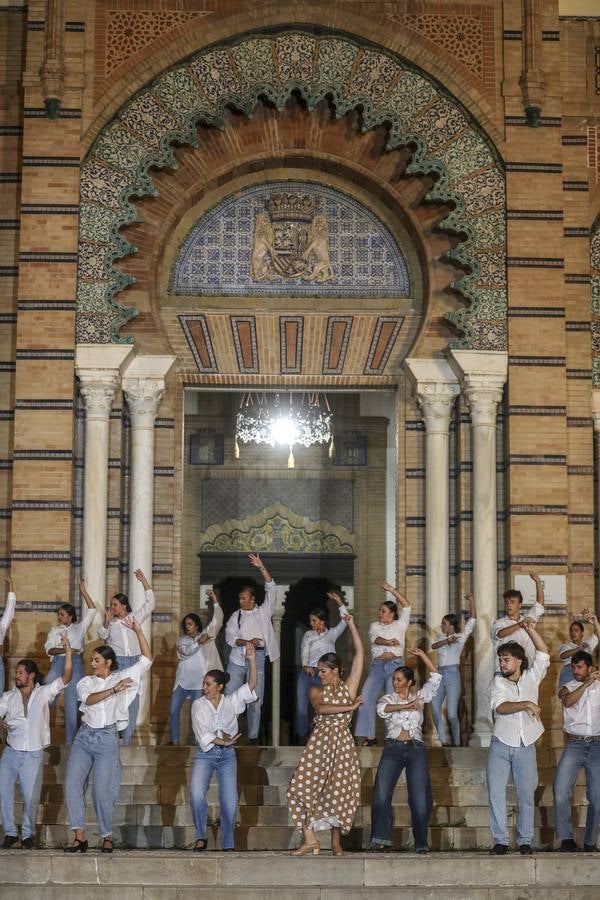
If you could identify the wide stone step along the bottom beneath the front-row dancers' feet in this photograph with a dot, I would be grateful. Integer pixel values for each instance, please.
(163, 875)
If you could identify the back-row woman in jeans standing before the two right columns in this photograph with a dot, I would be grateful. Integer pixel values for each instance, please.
(450, 645)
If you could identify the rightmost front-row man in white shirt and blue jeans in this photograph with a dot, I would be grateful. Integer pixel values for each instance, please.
(581, 714)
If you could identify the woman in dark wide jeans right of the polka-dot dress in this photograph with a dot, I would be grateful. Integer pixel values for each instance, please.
(402, 712)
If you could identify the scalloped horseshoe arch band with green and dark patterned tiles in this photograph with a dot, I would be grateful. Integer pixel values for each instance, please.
(387, 91)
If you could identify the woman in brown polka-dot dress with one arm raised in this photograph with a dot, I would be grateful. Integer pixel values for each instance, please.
(325, 789)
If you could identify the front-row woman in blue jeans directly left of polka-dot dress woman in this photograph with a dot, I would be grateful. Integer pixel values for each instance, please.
(214, 721)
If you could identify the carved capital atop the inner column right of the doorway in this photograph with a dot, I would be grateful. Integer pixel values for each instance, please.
(436, 387)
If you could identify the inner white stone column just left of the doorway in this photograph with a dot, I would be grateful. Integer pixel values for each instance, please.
(143, 386)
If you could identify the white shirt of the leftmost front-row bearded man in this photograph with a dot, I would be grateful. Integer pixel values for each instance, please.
(31, 730)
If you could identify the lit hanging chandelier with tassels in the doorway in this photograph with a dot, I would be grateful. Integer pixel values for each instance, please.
(285, 420)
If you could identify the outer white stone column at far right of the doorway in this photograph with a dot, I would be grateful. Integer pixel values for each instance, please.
(483, 376)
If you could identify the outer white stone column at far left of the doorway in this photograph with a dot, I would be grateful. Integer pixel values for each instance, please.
(98, 368)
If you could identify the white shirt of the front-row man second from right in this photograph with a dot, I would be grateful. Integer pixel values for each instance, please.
(519, 729)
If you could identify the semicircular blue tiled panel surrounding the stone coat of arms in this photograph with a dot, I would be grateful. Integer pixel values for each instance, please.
(219, 254)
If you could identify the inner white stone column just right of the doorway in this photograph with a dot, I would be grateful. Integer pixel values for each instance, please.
(436, 387)
